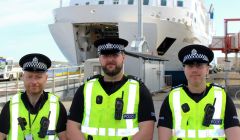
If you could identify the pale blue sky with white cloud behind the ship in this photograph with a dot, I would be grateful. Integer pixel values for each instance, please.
(24, 25)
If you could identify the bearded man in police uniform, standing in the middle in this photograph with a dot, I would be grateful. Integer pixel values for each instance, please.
(113, 106)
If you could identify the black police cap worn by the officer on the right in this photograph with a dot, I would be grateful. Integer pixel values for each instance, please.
(195, 54)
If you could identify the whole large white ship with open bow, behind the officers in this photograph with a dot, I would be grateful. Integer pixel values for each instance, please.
(168, 25)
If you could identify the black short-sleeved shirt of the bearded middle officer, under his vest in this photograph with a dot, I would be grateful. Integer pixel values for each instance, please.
(145, 109)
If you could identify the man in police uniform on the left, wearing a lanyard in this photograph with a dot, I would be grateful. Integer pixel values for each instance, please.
(34, 113)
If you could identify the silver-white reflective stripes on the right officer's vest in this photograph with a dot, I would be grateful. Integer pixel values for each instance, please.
(212, 133)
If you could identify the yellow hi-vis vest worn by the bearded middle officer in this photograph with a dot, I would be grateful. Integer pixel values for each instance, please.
(98, 119)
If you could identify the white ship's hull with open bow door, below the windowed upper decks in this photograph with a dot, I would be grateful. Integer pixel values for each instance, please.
(77, 27)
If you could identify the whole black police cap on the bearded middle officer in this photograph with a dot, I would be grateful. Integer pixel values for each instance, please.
(110, 45)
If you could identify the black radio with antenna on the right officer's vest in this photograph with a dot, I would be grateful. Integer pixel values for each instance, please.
(209, 111)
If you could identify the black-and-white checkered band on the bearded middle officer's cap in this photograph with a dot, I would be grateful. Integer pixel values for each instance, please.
(110, 46)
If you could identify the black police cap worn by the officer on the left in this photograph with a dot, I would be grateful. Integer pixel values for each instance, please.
(35, 62)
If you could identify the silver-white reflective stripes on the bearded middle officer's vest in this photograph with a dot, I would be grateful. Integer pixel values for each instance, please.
(128, 131)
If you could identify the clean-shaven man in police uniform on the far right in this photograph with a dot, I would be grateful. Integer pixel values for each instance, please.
(198, 110)
